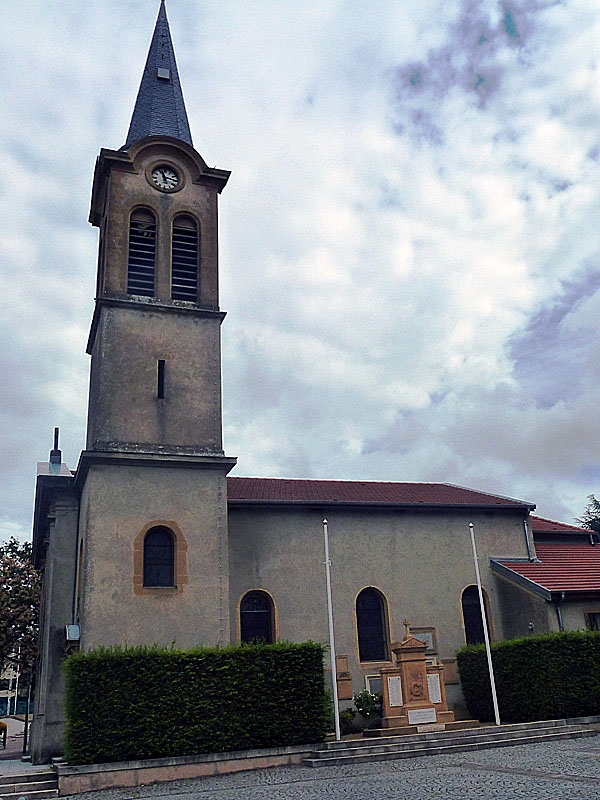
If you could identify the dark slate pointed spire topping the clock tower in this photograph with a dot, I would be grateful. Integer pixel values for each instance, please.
(159, 108)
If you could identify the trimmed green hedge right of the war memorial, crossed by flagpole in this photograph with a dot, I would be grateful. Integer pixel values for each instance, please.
(552, 676)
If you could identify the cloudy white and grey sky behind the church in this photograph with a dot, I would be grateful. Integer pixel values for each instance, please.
(410, 238)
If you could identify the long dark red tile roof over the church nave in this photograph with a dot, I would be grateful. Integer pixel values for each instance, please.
(280, 490)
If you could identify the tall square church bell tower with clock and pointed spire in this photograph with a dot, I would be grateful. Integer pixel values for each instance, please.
(152, 549)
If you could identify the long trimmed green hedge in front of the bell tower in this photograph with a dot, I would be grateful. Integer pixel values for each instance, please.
(134, 703)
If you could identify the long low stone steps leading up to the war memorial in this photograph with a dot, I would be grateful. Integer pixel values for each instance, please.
(438, 743)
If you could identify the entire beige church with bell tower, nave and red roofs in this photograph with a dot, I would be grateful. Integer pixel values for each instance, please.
(152, 540)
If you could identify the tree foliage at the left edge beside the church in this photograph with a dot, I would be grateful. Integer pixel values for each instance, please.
(19, 604)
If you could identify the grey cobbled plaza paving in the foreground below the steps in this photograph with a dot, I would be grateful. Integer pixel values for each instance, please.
(566, 770)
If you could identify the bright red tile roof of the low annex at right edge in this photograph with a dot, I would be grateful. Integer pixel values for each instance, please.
(562, 567)
